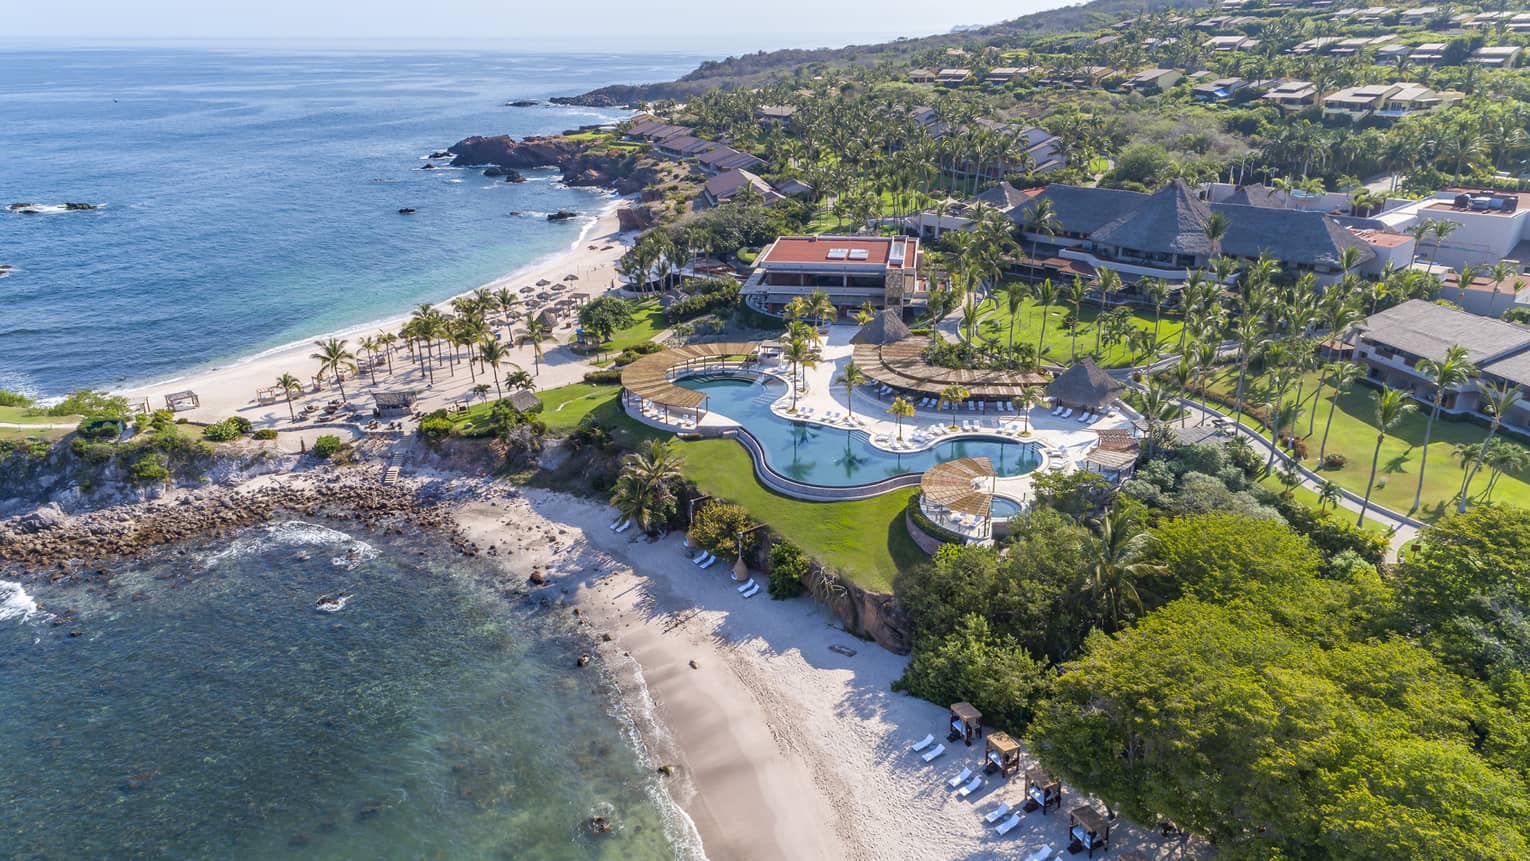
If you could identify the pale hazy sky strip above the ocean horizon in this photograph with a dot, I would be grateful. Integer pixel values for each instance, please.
(698, 27)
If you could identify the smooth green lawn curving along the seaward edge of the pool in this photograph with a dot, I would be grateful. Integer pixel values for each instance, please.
(865, 541)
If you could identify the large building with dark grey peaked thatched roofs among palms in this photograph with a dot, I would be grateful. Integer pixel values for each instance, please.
(1164, 235)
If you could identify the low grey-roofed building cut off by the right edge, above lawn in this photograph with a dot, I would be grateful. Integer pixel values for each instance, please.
(1392, 345)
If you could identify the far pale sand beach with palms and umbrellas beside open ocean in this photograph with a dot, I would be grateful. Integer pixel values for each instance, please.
(232, 389)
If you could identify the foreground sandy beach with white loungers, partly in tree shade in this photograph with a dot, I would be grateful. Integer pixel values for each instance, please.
(784, 749)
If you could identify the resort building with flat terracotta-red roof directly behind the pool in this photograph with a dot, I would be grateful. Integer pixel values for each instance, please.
(850, 270)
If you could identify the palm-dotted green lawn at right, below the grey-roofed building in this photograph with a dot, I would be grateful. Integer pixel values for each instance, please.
(1353, 435)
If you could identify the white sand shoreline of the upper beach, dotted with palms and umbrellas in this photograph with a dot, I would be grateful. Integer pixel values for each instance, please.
(230, 389)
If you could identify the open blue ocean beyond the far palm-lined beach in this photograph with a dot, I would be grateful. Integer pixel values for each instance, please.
(252, 198)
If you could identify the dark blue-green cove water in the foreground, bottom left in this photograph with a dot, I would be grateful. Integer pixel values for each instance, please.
(207, 710)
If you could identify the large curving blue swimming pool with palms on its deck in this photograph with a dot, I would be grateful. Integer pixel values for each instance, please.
(839, 458)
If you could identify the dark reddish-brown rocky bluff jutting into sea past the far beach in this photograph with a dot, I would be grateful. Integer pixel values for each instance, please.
(625, 174)
